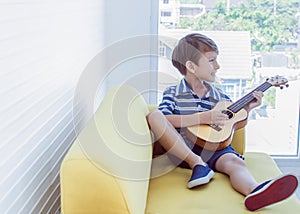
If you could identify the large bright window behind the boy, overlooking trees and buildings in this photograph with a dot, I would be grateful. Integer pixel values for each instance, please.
(261, 52)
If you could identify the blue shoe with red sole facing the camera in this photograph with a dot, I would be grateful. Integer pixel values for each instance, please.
(271, 191)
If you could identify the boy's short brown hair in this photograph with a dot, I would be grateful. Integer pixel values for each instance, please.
(190, 48)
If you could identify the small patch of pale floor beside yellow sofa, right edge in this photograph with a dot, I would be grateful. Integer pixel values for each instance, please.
(292, 166)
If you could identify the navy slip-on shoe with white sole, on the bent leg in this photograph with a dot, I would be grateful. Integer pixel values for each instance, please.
(201, 175)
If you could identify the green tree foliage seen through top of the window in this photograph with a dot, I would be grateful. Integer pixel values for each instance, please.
(269, 24)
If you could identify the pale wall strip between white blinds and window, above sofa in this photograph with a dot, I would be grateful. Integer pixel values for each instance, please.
(132, 38)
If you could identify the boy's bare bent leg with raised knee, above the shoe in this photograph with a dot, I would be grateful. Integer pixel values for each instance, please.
(170, 139)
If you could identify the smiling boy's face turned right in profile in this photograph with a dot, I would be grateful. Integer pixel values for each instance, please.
(206, 67)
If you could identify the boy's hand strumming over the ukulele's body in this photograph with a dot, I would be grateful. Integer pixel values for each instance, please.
(213, 117)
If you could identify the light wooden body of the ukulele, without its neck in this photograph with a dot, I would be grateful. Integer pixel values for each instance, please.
(212, 137)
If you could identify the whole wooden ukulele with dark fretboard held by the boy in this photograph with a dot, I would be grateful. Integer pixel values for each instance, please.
(216, 137)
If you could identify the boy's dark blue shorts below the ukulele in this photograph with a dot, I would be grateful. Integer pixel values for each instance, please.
(210, 157)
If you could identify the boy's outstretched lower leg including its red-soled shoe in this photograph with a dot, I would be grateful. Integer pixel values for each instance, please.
(257, 195)
